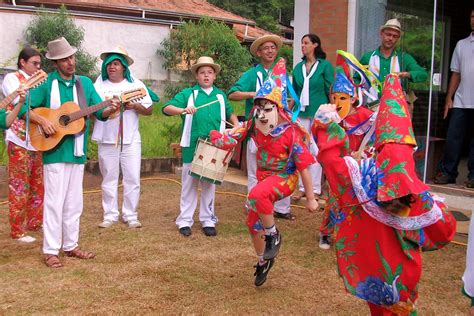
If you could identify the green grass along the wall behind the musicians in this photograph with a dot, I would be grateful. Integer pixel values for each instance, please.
(157, 131)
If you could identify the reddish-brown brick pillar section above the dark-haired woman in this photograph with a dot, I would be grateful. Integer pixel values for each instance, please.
(328, 19)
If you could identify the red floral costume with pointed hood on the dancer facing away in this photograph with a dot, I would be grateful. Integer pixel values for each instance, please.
(377, 242)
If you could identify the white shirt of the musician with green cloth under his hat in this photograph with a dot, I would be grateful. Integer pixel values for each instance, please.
(107, 132)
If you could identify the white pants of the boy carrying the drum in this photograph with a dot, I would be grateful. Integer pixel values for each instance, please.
(188, 201)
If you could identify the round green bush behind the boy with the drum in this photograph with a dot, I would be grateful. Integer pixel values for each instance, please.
(206, 37)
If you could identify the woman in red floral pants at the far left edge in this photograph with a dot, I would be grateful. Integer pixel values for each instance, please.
(25, 167)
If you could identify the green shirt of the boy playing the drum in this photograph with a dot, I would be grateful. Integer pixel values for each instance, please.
(204, 120)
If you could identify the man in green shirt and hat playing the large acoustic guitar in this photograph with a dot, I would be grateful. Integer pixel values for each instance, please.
(64, 165)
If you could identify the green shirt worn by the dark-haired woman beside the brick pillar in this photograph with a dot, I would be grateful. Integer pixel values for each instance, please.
(319, 85)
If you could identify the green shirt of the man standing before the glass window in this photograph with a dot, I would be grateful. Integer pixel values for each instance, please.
(406, 62)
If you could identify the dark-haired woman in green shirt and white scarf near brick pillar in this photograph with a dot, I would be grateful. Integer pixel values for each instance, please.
(312, 79)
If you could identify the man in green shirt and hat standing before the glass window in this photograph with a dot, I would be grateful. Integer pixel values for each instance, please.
(387, 59)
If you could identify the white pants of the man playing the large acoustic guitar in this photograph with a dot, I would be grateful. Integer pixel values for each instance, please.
(62, 206)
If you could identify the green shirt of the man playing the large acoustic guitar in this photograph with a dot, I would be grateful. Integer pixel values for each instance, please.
(41, 97)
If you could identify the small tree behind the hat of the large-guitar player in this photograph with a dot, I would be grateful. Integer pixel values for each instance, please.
(47, 26)
